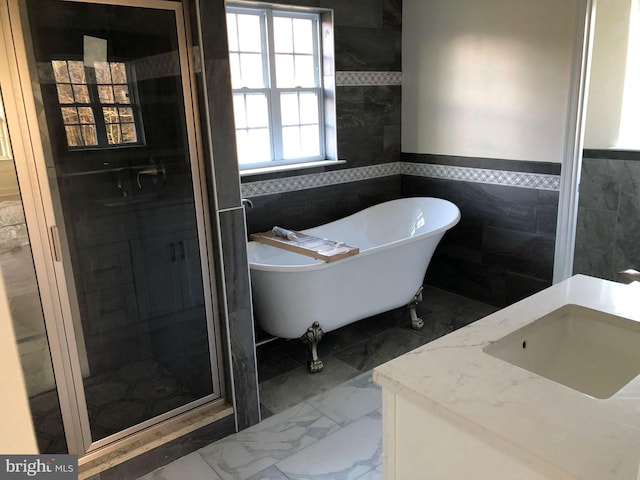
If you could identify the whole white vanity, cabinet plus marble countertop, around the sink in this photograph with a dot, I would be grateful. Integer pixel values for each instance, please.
(451, 411)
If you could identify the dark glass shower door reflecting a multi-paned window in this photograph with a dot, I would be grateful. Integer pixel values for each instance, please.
(122, 158)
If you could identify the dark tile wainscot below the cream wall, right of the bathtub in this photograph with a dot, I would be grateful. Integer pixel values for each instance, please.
(503, 248)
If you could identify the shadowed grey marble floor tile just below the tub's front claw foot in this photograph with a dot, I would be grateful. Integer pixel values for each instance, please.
(284, 391)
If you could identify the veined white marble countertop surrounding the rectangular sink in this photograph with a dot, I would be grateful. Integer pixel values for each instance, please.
(589, 438)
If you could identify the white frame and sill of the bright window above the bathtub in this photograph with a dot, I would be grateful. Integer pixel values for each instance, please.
(273, 94)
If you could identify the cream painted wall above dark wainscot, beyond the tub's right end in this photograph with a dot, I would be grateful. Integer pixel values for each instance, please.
(487, 78)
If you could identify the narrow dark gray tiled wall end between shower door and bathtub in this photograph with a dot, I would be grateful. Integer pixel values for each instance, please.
(232, 282)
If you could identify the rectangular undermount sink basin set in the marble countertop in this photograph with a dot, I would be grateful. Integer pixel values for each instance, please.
(593, 352)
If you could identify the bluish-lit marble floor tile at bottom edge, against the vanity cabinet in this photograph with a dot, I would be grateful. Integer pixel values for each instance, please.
(347, 454)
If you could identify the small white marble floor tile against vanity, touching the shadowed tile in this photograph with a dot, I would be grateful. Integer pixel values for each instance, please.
(349, 401)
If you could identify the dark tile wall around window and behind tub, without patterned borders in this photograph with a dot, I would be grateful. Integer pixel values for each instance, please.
(368, 37)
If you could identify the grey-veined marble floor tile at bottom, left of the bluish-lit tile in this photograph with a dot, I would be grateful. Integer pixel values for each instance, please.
(246, 453)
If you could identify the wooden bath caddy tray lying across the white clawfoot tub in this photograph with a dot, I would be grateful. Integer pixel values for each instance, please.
(316, 247)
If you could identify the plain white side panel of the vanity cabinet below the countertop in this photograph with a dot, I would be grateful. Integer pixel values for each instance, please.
(420, 442)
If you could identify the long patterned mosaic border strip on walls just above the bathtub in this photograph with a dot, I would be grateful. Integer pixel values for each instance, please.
(536, 181)
